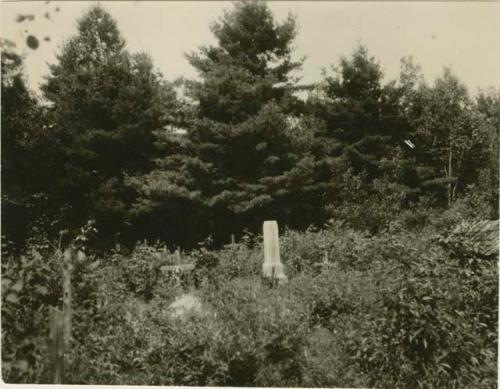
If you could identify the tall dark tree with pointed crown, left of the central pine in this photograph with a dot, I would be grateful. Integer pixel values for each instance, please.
(105, 105)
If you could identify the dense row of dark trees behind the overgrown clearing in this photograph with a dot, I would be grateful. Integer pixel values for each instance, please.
(112, 140)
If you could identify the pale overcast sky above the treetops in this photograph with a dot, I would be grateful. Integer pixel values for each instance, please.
(462, 35)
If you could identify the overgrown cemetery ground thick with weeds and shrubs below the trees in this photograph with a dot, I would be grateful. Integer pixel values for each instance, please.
(402, 308)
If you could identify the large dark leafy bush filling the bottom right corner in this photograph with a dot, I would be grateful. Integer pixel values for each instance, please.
(431, 333)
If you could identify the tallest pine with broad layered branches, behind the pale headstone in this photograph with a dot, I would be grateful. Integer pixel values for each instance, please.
(247, 155)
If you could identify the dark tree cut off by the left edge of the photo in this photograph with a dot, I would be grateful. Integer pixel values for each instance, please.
(26, 152)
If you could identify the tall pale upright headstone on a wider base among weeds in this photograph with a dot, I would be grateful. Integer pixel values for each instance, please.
(272, 267)
